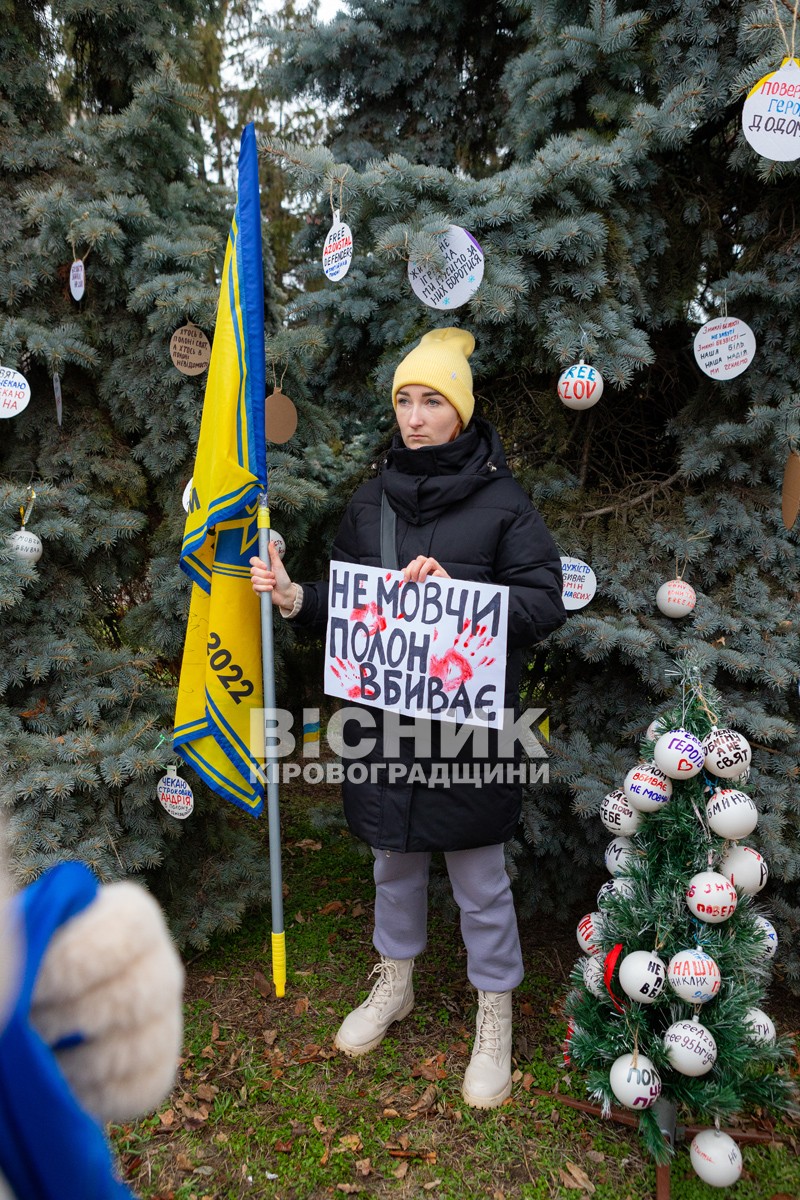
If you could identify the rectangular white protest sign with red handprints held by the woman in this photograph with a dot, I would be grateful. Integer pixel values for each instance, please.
(435, 650)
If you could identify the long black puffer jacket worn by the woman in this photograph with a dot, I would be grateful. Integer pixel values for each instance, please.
(460, 505)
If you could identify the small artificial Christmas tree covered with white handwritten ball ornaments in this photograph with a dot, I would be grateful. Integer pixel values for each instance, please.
(667, 1003)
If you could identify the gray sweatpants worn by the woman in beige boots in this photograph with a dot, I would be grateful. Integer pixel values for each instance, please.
(483, 892)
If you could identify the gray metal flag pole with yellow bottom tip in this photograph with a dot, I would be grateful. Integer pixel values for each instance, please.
(273, 811)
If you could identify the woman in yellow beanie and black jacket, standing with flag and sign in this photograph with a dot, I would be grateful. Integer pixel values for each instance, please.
(444, 506)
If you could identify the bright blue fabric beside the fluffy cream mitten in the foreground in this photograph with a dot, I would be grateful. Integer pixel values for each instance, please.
(50, 1148)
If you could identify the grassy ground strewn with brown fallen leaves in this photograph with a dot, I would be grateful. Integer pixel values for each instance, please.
(267, 1108)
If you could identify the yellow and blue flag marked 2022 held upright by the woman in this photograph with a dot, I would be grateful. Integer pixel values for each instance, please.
(221, 675)
